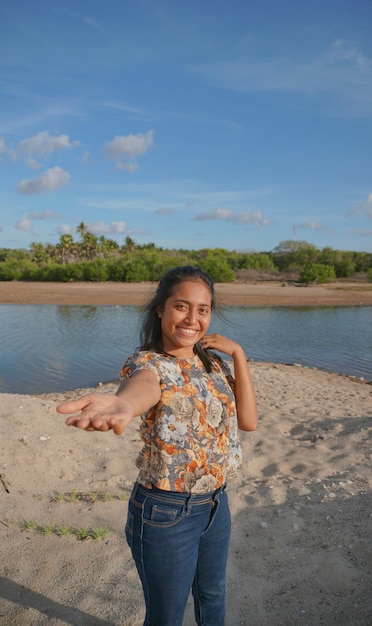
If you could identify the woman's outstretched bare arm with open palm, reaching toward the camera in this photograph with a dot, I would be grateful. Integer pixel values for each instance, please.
(101, 411)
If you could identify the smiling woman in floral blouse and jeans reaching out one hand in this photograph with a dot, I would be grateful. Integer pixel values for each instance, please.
(178, 525)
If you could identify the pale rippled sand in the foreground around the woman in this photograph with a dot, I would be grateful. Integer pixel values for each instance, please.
(301, 510)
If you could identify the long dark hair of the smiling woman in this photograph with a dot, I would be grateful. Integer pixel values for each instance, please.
(151, 334)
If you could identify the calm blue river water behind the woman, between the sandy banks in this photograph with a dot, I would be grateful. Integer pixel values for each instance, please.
(60, 348)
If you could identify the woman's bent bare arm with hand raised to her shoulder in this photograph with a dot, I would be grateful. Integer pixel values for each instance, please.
(245, 395)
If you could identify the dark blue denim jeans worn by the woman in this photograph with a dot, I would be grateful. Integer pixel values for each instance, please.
(180, 541)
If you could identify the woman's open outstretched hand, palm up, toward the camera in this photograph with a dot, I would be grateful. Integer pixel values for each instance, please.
(98, 411)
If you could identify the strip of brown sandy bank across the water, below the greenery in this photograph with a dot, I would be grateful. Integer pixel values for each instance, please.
(263, 293)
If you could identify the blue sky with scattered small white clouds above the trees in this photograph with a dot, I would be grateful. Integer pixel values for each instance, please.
(189, 124)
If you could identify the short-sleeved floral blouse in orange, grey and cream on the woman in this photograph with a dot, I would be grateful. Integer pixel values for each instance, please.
(190, 436)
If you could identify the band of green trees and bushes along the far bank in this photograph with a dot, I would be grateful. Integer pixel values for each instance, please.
(98, 259)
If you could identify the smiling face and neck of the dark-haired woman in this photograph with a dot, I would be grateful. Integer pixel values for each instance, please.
(185, 317)
